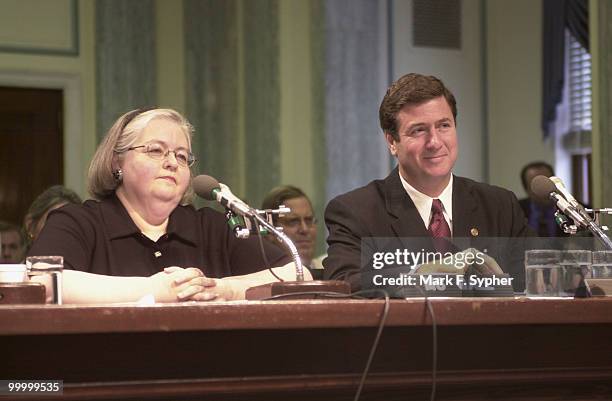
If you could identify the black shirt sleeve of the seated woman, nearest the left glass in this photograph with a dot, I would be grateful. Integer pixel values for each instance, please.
(66, 233)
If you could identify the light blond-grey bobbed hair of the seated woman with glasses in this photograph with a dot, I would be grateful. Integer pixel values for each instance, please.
(121, 136)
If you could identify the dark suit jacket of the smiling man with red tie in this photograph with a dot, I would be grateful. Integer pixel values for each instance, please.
(384, 209)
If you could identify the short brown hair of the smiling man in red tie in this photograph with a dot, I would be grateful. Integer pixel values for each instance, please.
(411, 89)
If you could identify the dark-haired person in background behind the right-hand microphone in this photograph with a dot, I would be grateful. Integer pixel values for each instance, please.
(540, 214)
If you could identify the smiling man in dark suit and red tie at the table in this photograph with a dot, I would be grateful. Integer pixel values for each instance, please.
(421, 197)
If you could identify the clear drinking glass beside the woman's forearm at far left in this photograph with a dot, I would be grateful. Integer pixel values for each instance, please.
(48, 271)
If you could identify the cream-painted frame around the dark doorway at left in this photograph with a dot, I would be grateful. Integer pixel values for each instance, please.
(70, 84)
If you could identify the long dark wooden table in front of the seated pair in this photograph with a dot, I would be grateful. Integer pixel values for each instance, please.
(503, 349)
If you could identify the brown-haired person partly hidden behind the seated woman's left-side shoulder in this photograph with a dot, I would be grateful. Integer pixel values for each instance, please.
(52, 198)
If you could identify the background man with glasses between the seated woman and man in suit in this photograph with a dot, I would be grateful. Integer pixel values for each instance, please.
(300, 224)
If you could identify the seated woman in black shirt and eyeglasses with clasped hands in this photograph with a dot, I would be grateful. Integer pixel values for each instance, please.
(141, 223)
